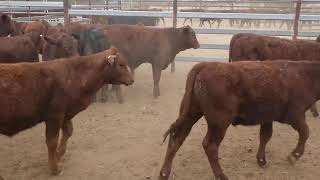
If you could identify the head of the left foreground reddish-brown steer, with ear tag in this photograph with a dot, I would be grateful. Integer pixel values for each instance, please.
(117, 68)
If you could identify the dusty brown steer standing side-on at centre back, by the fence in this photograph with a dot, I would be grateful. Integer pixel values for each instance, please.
(157, 46)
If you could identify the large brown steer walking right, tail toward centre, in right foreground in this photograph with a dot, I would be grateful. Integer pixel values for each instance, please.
(245, 93)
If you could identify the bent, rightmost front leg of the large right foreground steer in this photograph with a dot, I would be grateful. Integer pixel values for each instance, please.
(301, 126)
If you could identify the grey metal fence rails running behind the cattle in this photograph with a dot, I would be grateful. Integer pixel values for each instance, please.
(80, 10)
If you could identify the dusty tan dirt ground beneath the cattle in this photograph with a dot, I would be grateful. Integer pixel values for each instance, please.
(114, 141)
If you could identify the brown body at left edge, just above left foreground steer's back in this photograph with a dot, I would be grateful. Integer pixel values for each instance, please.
(21, 48)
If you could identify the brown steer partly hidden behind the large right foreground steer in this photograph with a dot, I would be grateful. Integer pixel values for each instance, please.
(246, 46)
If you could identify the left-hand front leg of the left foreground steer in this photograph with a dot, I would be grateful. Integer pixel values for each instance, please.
(52, 138)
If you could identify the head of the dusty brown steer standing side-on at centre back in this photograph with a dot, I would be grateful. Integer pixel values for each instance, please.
(189, 39)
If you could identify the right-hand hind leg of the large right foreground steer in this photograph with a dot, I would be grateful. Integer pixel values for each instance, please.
(211, 143)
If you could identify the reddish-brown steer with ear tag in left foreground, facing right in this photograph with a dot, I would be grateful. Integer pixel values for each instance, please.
(54, 92)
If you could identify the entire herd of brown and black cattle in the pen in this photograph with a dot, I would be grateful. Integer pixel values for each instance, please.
(80, 58)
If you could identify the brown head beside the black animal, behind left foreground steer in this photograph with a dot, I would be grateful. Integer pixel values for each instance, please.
(59, 45)
